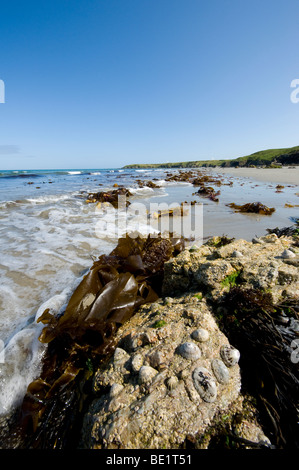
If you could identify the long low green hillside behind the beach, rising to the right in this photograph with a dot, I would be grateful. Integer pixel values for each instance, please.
(271, 157)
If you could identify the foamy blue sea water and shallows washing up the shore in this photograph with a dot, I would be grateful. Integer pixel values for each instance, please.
(50, 237)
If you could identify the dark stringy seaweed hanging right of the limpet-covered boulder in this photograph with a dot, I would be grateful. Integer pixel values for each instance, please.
(262, 333)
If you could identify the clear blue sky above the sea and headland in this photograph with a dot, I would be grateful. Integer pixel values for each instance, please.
(105, 83)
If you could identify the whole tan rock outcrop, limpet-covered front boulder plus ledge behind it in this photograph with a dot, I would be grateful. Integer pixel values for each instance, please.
(174, 375)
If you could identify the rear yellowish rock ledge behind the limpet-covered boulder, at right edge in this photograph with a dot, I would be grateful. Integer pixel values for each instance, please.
(269, 263)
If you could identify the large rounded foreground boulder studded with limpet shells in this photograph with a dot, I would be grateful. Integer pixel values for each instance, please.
(166, 381)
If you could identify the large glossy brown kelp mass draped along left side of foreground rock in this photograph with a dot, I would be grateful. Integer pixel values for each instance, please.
(82, 337)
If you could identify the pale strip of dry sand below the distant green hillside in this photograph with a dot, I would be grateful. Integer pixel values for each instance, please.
(287, 175)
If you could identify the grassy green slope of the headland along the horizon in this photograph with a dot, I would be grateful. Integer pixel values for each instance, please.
(264, 157)
